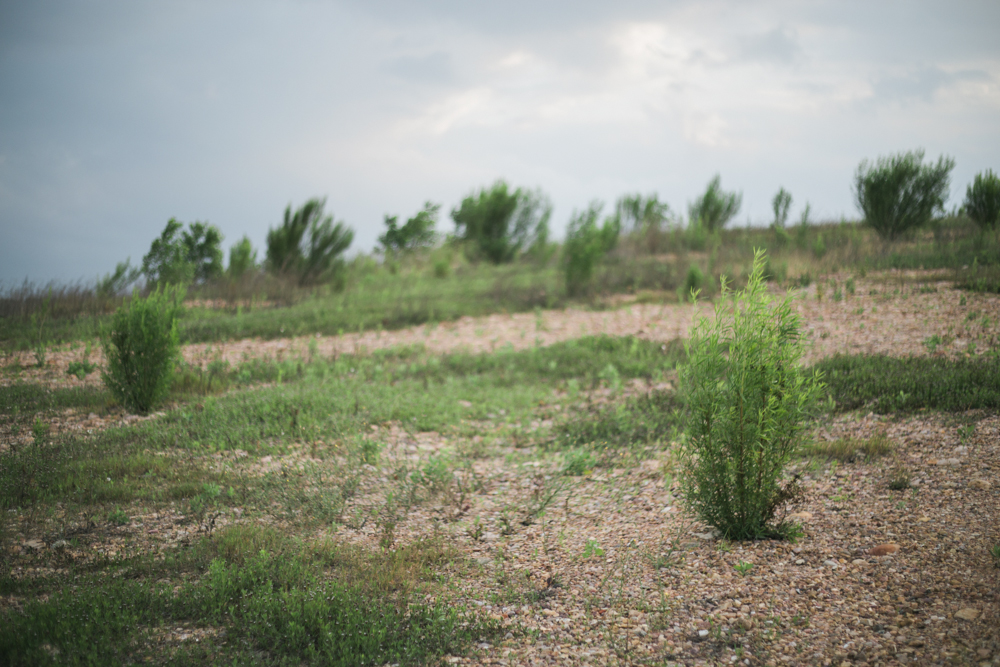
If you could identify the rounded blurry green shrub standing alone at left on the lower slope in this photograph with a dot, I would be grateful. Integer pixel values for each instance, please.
(141, 348)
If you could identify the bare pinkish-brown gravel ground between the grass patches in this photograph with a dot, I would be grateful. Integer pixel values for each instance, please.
(605, 566)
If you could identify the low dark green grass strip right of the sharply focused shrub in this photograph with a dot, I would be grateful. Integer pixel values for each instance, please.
(889, 384)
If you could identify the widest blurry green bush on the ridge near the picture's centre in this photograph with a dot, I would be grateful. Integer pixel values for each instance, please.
(500, 223)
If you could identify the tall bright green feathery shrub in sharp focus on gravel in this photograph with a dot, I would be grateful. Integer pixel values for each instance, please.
(747, 399)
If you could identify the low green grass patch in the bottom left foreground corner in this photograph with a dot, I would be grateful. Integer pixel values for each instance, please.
(279, 609)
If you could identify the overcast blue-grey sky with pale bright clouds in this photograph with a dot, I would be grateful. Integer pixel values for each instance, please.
(117, 116)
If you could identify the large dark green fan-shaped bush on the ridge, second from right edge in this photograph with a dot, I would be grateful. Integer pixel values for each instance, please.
(899, 193)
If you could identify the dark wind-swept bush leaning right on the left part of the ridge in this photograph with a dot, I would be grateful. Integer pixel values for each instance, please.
(308, 245)
